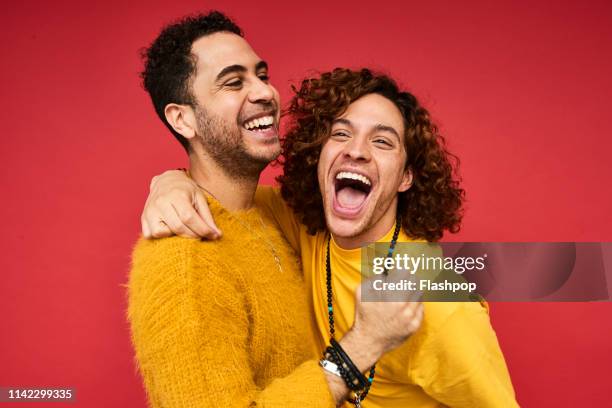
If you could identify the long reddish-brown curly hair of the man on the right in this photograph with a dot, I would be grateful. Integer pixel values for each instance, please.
(434, 201)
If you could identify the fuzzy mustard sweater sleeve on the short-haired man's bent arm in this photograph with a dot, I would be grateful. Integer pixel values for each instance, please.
(191, 336)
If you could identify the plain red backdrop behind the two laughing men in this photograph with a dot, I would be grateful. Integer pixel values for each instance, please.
(520, 89)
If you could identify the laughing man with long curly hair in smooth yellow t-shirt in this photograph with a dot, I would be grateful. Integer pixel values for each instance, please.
(362, 162)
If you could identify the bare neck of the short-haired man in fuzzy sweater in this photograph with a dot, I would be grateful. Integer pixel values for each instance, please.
(233, 193)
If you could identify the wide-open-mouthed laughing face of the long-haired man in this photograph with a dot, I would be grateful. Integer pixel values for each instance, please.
(361, 170)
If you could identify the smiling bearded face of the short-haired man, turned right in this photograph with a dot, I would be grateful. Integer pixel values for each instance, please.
(237, 108)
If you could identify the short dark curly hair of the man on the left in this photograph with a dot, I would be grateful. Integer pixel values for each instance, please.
(169, 63)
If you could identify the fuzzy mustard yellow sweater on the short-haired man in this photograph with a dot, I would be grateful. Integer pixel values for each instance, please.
(217, 324)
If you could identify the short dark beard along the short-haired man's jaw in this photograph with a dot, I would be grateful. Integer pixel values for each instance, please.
(224, 144)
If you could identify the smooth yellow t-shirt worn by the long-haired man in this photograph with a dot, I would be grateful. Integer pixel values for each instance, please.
(454, 359)
